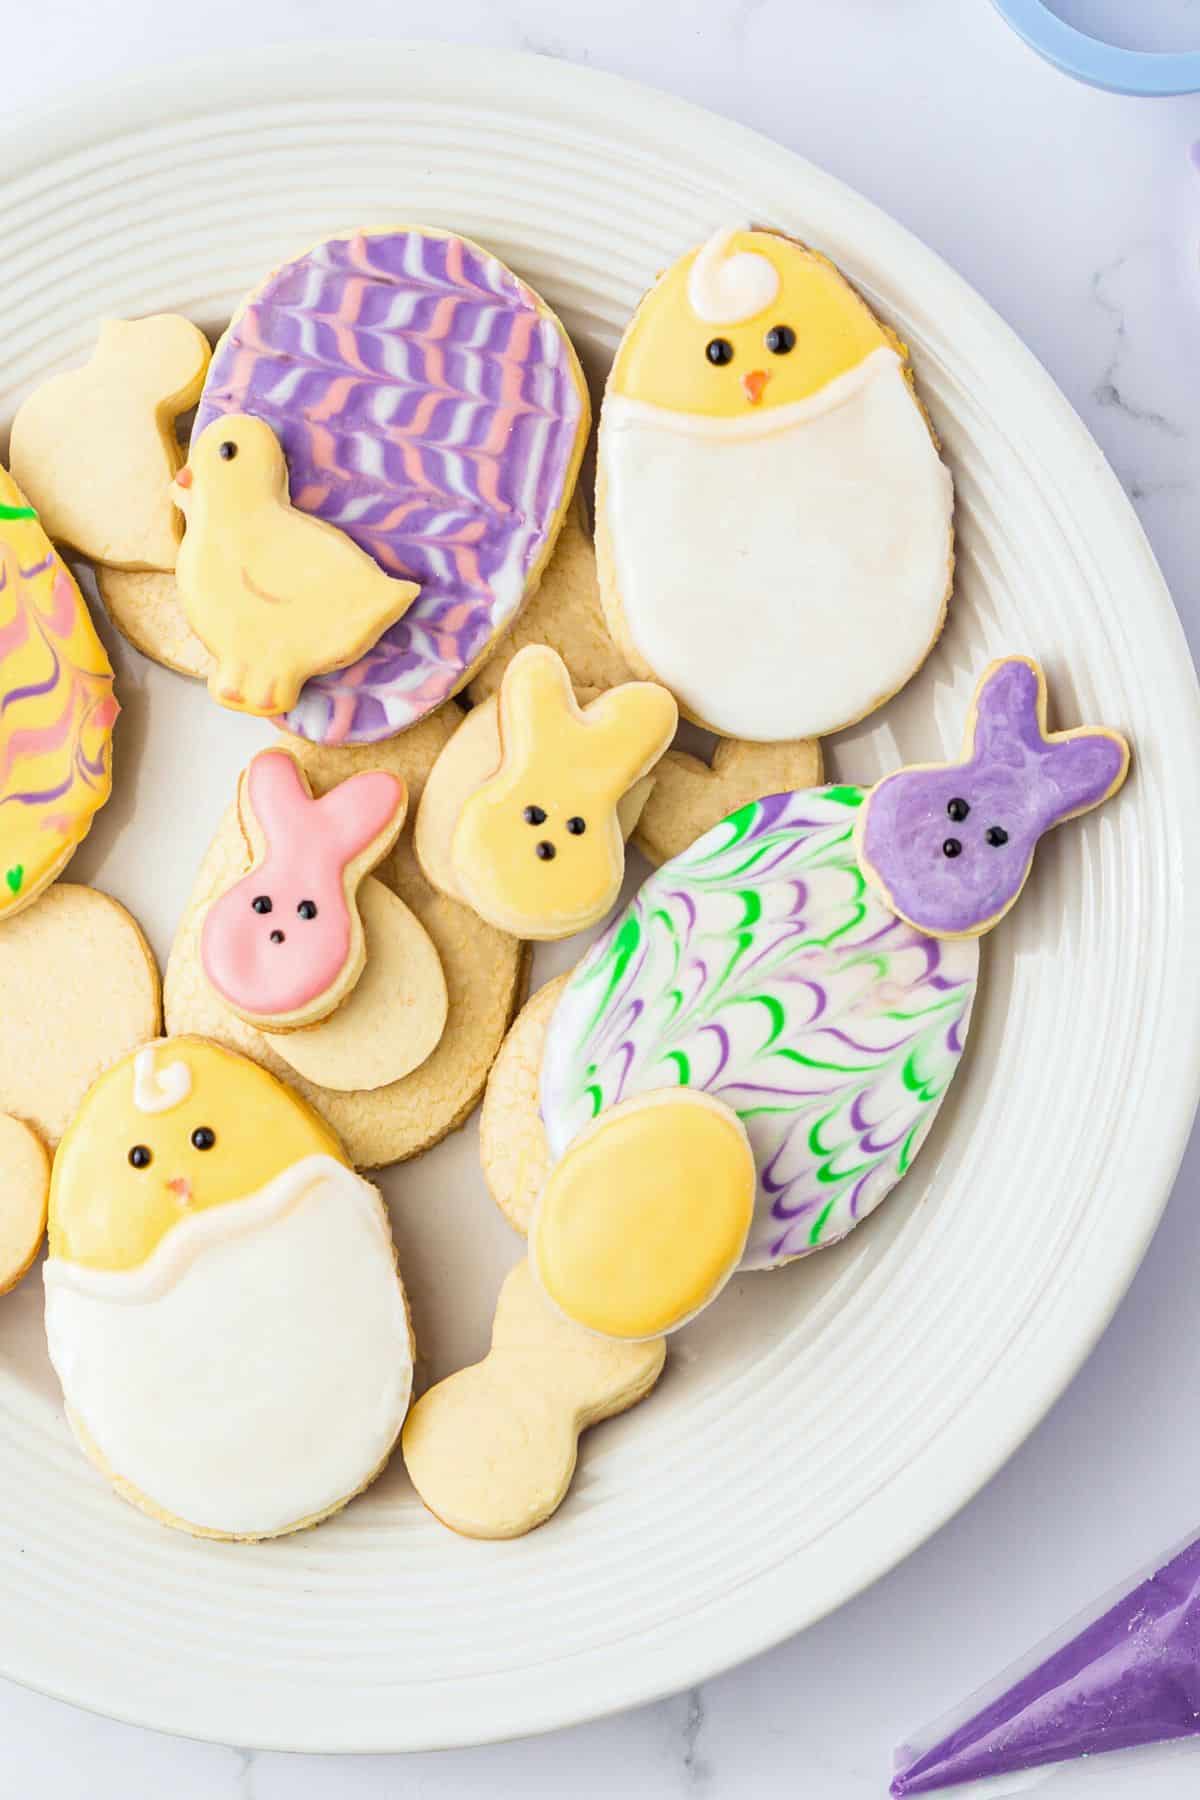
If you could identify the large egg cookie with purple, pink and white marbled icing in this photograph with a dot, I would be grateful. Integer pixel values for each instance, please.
(431, 408)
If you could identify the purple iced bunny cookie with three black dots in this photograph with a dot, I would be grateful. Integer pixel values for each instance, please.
(949, 845)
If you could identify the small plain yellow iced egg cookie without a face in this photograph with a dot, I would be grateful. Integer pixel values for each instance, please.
(647, 1216)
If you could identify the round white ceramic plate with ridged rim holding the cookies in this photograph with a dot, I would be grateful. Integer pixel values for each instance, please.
(821, 1421)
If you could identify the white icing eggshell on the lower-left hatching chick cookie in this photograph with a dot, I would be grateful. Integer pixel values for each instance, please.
(256, 1369)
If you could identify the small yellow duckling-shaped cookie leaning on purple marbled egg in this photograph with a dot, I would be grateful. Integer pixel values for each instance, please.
(273, 593)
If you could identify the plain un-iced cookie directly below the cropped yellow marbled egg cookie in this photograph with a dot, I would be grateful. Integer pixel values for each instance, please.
(78, 991)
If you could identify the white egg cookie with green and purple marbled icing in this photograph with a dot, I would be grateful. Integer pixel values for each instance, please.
(762, 969)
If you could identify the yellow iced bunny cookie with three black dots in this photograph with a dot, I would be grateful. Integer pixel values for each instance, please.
(539, 847)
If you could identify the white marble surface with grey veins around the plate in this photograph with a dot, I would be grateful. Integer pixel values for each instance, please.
(1079, 217)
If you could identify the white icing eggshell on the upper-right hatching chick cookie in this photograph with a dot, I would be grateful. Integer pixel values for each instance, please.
(785, 571)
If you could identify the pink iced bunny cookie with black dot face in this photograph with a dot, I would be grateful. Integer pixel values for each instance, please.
(285, 946)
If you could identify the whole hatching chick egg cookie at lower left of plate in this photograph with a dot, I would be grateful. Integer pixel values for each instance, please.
(224, 1308)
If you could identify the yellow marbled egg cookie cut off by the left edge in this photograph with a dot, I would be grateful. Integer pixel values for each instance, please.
(57, 708)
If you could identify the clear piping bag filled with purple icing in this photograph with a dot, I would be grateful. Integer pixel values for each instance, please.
(1120, 1677)
